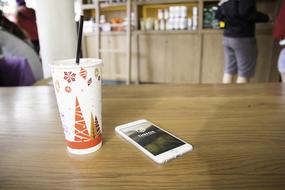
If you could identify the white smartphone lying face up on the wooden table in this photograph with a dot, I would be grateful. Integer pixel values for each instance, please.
(156, 143)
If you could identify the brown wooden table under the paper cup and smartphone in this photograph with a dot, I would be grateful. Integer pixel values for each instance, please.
(238, 133)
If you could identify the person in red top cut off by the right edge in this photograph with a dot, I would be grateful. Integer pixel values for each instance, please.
(279, 34)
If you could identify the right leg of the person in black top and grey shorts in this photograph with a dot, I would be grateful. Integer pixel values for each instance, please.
(246, 54)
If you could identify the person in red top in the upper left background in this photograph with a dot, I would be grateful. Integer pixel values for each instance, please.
(26, 20)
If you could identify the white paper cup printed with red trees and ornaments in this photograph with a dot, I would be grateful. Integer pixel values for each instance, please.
(78, 94)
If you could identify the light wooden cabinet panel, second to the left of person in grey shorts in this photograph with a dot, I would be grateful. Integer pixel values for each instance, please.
(183, 58)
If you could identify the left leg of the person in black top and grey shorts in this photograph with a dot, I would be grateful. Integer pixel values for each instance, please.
(230, 68)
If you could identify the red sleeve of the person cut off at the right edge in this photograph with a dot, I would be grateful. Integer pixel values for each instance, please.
(279, 29)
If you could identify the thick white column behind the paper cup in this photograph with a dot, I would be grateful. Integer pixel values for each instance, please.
(57, 31)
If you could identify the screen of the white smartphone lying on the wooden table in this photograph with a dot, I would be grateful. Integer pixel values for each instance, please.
(152, 138)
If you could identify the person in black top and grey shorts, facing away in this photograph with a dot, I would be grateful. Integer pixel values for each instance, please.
(240, 48)
